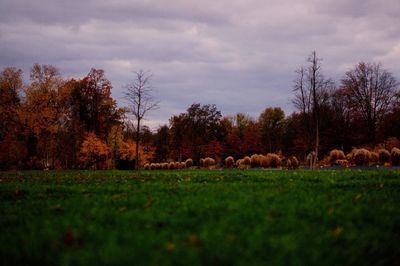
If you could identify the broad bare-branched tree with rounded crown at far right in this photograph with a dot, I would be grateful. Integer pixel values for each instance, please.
(371, 91)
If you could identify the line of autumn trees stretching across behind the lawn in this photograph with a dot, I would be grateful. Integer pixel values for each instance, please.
(58, 123)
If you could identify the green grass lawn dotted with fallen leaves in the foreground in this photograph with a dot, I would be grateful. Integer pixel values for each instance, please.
(349, 217)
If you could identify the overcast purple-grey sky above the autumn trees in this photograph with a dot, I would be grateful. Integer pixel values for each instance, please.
(238, 54)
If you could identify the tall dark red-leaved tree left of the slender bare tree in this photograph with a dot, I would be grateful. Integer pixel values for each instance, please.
(88, 107)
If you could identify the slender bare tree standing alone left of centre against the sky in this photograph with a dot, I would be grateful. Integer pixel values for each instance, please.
(139, 96)
